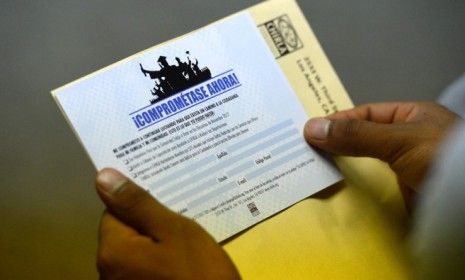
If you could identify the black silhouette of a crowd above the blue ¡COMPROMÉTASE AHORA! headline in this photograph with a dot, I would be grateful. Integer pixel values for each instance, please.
(171, 79)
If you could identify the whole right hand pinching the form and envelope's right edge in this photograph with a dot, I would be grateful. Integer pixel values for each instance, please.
(405, 135)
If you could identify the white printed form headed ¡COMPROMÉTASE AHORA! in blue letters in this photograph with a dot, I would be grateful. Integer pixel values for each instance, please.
(207, 123)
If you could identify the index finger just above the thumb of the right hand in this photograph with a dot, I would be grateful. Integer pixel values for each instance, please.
(389, 112)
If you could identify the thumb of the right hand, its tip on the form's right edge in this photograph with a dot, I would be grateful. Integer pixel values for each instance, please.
(351, 137)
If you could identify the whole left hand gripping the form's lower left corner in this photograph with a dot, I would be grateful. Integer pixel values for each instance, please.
(142, 239)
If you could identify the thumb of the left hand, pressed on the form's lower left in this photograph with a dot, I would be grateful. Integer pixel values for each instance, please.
(133, 205)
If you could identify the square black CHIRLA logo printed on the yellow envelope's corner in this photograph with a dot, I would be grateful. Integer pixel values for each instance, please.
(280, 32)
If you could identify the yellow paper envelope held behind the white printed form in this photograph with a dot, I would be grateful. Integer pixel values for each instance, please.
(352, 230)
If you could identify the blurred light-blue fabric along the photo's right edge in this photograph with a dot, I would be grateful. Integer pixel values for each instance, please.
(438, 237)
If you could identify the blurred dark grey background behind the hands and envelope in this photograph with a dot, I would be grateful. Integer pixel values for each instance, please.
(49, 212)
